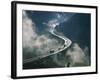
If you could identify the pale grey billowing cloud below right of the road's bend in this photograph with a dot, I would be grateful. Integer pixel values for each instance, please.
(76, 54)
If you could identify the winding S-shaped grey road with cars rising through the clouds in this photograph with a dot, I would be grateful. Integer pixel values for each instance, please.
(67, 43)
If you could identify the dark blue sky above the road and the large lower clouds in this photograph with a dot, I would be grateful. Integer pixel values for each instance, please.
(76, 25)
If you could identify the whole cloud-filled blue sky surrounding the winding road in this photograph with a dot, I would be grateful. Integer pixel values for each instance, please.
(37, 40)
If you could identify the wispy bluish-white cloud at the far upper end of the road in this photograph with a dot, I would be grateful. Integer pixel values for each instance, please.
(58, 19)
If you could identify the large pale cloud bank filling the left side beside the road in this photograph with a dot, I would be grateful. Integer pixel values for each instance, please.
(35, 43)
